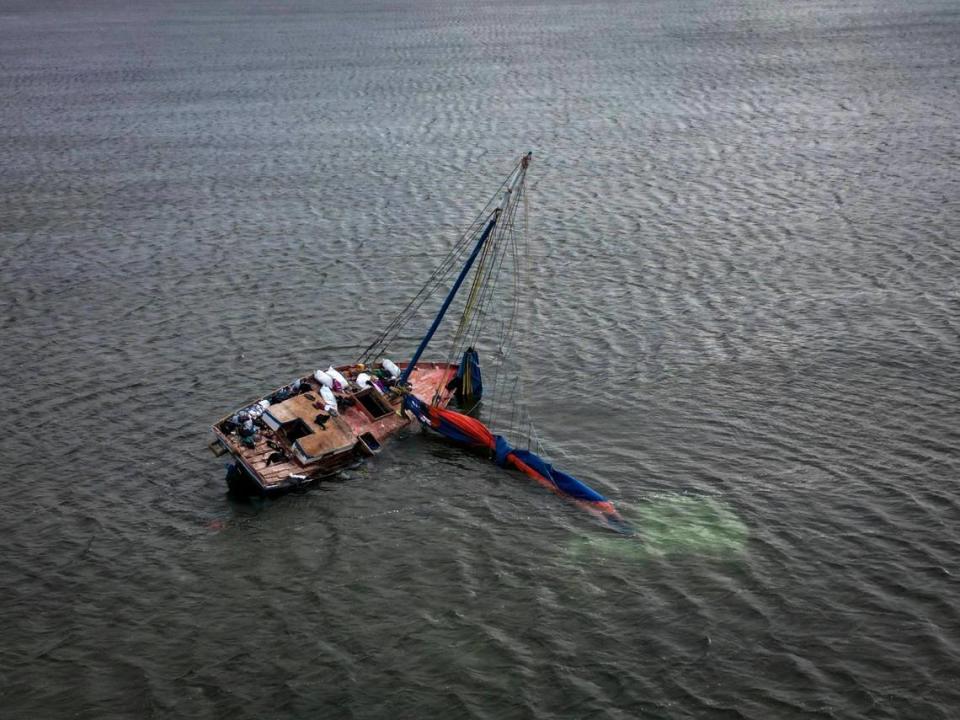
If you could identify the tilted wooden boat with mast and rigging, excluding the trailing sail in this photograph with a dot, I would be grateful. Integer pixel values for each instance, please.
(311, 429)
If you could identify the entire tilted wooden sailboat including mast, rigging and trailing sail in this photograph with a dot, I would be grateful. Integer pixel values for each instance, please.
(324, 422)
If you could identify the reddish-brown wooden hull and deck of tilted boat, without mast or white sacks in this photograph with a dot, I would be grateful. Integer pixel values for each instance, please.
(295, 445)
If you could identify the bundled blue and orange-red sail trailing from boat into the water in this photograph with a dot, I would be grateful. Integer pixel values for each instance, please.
(469, 431)
